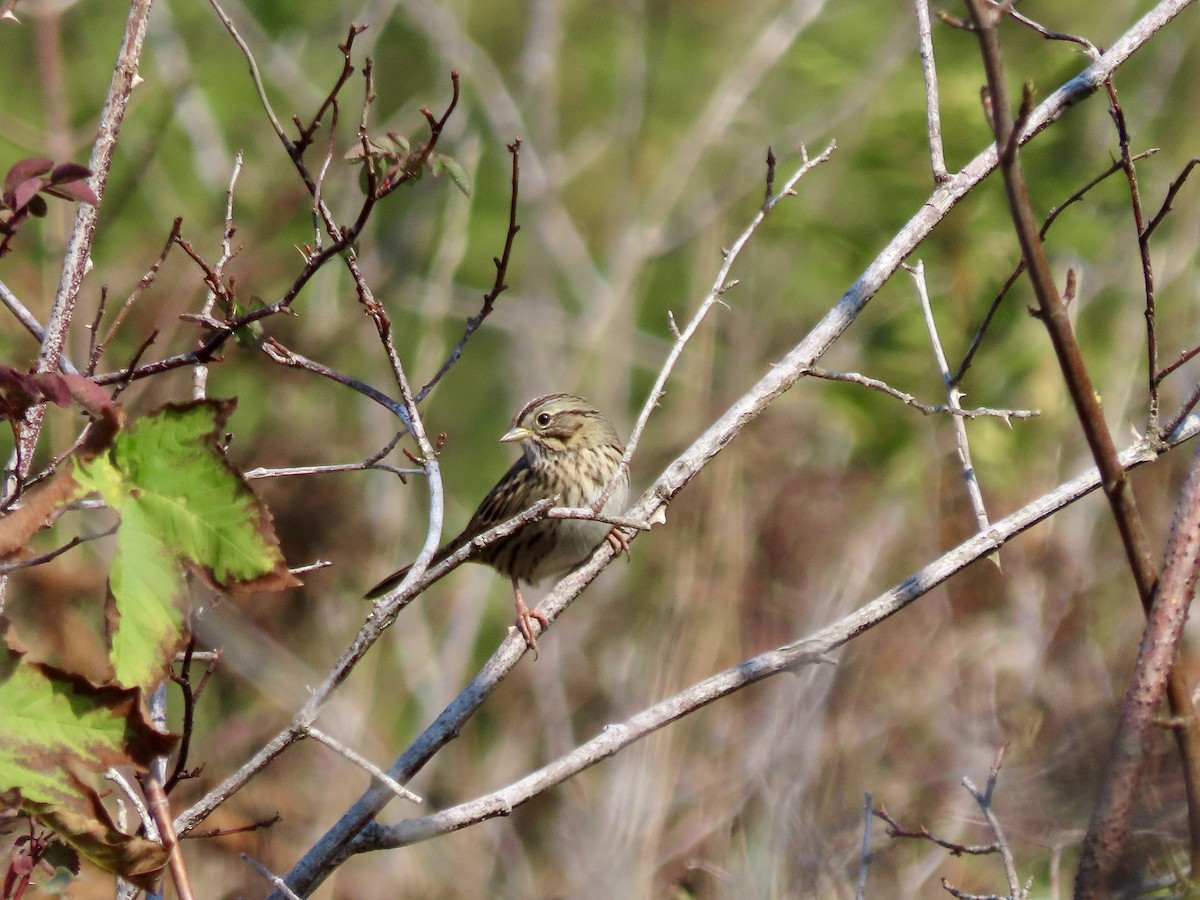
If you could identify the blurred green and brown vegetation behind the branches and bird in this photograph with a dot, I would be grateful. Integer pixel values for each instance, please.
(645, 130)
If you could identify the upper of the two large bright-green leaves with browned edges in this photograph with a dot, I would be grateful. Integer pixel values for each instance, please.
(181, 502)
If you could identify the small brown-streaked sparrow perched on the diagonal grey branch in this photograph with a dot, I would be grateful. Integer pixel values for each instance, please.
(571, 453)
